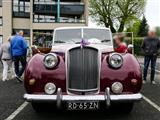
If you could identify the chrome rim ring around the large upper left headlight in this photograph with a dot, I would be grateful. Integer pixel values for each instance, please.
(56, 60)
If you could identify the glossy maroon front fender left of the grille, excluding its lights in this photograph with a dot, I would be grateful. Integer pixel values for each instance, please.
(36, 70)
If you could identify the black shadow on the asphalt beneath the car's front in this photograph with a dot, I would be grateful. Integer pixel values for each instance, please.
(83, 115)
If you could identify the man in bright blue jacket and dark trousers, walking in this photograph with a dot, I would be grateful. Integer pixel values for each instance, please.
(19, 52)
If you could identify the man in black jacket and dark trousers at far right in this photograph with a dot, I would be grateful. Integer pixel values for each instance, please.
(150, 47)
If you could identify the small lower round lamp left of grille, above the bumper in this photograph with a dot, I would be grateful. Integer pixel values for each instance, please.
(50, 88)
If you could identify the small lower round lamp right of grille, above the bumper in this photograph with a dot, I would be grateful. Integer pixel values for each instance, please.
(117, 87)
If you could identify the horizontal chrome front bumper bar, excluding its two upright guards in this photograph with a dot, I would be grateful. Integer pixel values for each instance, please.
(127, 97)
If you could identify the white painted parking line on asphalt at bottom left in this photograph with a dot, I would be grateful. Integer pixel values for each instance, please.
(17, 111)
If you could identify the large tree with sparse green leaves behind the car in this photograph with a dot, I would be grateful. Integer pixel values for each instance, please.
(116, 13)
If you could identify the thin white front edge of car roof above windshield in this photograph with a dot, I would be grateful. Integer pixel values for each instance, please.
(62, 28)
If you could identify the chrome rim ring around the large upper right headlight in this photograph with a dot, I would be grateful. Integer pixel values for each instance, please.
(111, 58)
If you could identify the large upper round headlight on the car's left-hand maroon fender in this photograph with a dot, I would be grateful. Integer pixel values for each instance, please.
(50, 61)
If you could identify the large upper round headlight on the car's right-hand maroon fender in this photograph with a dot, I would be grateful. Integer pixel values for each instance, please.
(116, 60)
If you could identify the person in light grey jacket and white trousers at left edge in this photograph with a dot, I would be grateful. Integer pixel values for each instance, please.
(6, 59)
